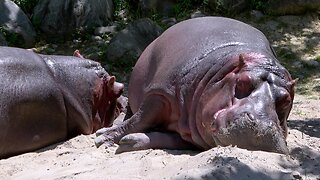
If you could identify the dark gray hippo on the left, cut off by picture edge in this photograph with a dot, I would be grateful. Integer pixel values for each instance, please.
(46, 99)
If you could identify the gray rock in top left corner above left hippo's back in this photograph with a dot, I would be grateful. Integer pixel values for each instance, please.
(17, 26)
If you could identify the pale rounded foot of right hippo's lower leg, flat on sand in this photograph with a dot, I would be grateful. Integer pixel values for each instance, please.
(134, 142)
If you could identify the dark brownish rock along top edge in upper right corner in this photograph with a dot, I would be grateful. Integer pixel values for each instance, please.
(292, 7)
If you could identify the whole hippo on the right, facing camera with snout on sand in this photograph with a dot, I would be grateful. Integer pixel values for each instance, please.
(206, 82)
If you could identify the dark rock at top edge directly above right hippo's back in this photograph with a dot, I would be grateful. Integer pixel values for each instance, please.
(229, 6)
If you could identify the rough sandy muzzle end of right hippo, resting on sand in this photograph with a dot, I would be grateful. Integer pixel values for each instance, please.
(249, 133)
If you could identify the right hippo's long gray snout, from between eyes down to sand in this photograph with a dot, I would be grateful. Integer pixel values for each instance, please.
(255, 121)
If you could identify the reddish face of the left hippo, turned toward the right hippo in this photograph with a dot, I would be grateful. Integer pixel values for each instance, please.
(106, 101)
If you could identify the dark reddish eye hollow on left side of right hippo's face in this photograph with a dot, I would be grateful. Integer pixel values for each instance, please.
(244, 87)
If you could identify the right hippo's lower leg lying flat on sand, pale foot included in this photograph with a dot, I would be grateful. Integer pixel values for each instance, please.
(153, 140)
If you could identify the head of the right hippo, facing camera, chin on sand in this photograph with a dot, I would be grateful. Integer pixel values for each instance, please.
(254, 103)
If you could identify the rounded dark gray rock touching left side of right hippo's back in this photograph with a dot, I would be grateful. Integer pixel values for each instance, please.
(129, 43)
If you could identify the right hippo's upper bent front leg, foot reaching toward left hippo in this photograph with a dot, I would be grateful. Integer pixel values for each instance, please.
(150, 115)
